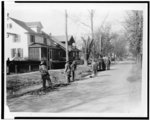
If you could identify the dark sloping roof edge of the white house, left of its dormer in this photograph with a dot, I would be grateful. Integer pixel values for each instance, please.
(22, 24)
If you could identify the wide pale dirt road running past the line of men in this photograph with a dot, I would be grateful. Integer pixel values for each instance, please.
(115, 90)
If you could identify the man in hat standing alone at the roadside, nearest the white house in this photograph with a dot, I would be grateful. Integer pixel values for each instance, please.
(45, 74)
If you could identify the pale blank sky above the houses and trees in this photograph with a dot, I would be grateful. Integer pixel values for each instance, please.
(52, 16)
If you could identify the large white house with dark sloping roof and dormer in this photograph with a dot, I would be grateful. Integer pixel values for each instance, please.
(22, 36)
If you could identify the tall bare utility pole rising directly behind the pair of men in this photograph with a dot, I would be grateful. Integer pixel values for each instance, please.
(66, 30)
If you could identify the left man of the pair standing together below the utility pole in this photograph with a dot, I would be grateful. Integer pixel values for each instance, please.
(68, 71)
